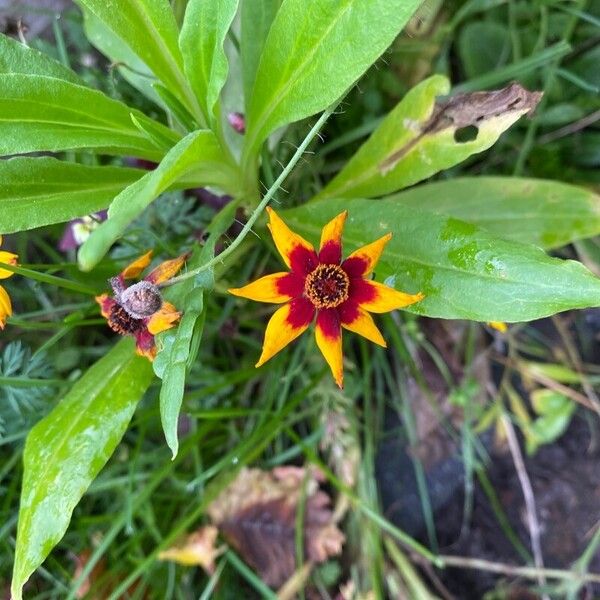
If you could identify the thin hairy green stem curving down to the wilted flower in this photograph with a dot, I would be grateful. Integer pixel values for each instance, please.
(261, 207)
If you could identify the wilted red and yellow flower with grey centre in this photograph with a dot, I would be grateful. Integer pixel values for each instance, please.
(138, 309)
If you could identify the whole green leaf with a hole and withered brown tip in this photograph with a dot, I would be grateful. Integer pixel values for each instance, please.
(420, 137)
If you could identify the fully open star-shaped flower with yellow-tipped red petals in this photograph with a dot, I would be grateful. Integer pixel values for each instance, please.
(340, 293)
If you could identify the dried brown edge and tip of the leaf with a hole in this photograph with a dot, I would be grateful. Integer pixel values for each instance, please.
(470, 109)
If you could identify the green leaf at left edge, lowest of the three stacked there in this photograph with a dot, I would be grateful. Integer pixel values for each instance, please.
(42, 191)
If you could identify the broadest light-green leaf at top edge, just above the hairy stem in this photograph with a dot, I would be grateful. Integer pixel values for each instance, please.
(315, 51)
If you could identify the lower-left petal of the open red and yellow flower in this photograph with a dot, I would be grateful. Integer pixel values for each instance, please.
(286, 324)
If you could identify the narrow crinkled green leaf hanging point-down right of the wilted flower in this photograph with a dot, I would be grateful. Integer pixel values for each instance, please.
(178, 346)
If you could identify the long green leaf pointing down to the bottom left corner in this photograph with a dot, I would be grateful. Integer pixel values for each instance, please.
(67, 449)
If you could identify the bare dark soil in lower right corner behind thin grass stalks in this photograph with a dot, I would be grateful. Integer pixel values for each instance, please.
(566, 480)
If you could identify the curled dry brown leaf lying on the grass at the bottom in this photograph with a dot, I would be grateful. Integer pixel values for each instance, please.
(257, 515)
